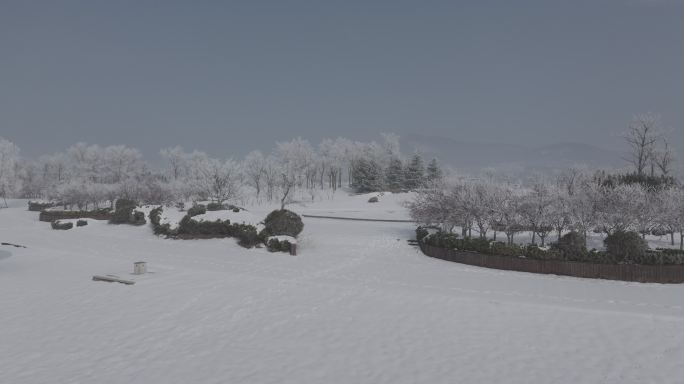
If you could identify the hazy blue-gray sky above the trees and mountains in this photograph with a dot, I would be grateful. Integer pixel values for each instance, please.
(229, 76)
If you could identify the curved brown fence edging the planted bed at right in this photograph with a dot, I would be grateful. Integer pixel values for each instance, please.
(666, 274)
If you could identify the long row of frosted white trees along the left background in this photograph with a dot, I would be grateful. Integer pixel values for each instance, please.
(89, 176)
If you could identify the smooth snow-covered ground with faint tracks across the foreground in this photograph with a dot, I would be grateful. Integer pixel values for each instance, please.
(357, 305)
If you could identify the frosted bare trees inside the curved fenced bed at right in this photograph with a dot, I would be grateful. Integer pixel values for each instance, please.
(575, 201)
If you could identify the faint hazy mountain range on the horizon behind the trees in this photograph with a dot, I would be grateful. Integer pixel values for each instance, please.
(475, 156)
